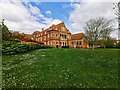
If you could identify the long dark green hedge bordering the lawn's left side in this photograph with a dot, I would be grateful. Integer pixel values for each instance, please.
(15, 47)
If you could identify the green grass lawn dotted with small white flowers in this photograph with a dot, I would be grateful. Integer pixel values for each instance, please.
(54, 68)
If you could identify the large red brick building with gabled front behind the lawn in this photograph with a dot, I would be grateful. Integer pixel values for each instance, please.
(58, 36)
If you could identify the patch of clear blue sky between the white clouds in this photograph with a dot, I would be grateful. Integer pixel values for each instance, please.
(59, 10)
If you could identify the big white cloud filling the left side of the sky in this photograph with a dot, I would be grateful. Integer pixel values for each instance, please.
(23, 18)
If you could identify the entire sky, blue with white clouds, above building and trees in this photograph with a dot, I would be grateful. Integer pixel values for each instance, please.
(28, 16)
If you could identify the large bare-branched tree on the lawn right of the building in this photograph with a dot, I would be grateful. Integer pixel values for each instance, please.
(97, 29)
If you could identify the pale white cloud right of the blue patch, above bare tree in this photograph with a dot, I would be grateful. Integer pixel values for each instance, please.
(85, 11)
